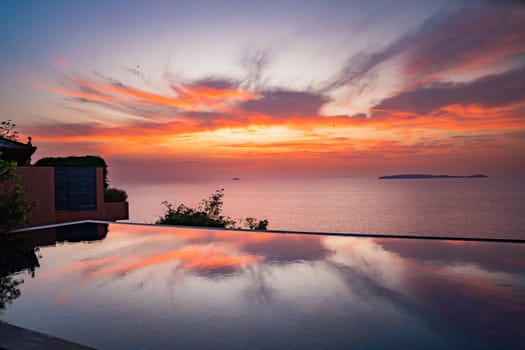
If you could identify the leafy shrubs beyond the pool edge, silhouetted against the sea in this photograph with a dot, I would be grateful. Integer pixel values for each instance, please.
(208, 213)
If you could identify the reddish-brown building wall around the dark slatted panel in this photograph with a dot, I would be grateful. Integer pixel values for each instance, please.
(40, 184)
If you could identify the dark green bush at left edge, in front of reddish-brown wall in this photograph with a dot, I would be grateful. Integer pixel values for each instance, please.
(15, 205)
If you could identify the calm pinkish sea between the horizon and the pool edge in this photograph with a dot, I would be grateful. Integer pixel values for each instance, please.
(487, 207)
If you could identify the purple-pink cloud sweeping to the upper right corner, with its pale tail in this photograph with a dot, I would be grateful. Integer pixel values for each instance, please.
(475, 38)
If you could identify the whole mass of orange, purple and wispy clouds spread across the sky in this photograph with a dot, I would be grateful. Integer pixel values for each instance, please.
(461, 89)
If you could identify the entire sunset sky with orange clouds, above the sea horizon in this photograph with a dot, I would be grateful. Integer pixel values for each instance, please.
(168, 90)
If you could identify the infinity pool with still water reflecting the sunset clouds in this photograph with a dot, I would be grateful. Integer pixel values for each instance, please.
(122, 286)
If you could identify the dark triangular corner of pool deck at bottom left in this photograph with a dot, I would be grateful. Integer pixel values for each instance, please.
(18, 338)
